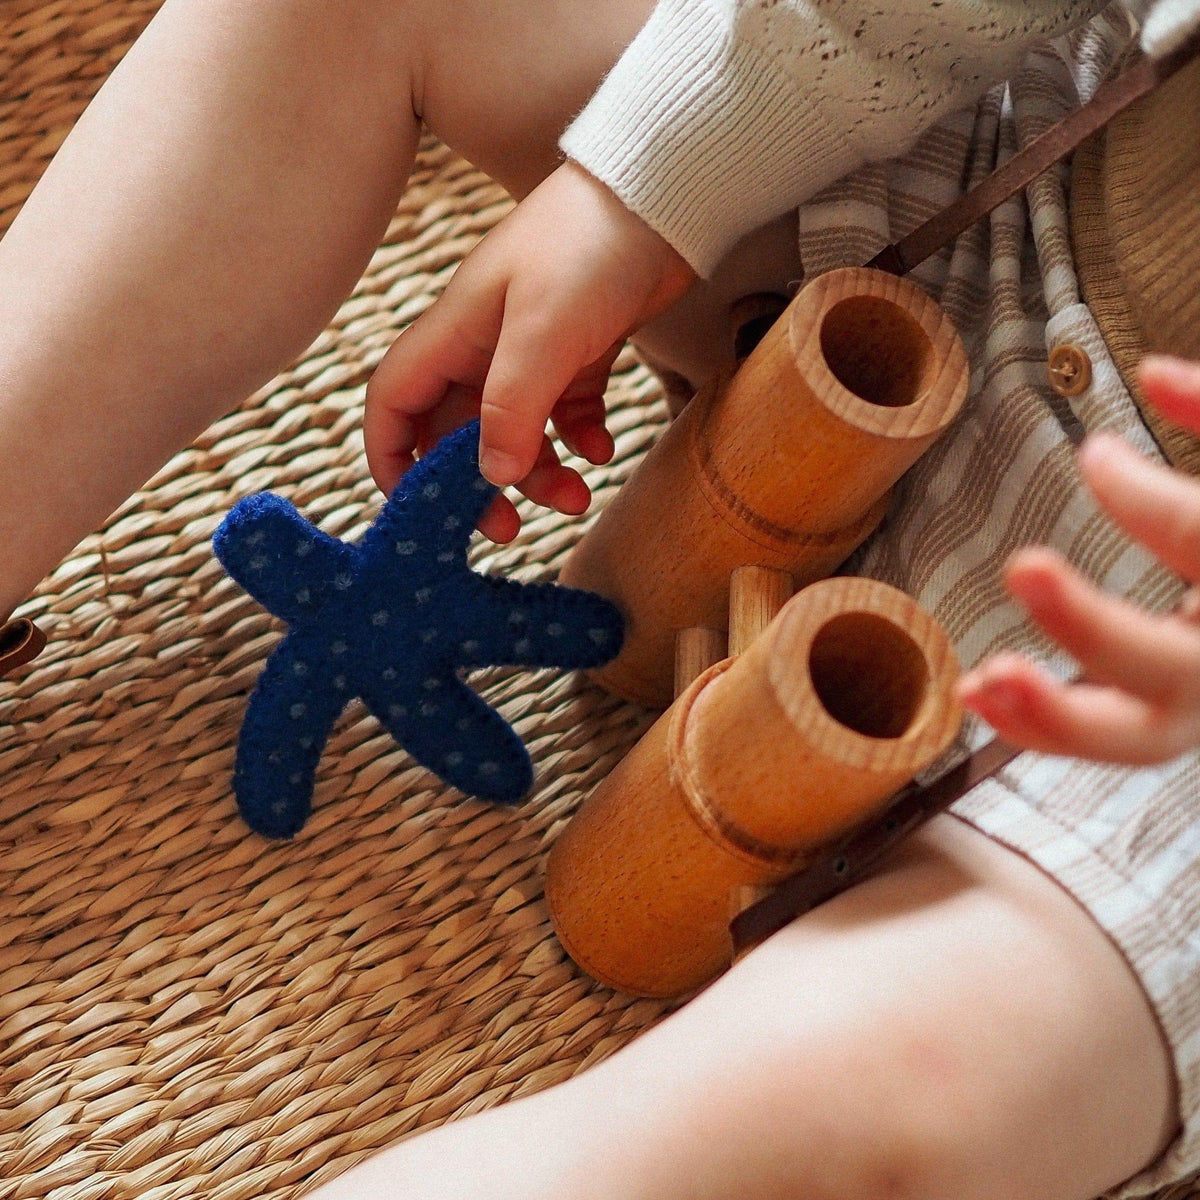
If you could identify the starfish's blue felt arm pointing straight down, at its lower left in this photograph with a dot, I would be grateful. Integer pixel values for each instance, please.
(287, 724)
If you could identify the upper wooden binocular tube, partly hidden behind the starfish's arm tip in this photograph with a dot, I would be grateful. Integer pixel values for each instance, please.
(787, 465)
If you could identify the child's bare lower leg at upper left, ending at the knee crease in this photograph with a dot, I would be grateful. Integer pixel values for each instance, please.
(197, 231)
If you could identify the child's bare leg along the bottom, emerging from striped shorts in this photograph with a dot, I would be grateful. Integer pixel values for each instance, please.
(955, 1029)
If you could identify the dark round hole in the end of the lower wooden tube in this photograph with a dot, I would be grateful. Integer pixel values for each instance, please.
(869, 675)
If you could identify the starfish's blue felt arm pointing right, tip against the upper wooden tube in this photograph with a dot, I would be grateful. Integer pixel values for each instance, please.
(539, 626)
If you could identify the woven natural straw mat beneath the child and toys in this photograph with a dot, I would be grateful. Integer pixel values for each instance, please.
(185, 1010)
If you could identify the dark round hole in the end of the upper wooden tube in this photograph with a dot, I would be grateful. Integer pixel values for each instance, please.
(878, 351)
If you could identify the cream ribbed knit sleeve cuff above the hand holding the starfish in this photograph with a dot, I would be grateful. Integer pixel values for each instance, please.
(705, 135)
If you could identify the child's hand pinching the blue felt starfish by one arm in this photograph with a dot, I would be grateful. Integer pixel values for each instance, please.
(526, 332)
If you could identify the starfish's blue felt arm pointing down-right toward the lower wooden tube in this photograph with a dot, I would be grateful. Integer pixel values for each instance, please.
(449, 730)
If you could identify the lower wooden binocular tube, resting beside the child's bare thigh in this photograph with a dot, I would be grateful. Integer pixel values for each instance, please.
(764, 761)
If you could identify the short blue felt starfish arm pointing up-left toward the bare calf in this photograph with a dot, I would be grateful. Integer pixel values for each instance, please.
(285, 563)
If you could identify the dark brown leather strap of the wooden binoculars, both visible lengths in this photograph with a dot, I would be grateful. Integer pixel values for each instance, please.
(855, 857)
